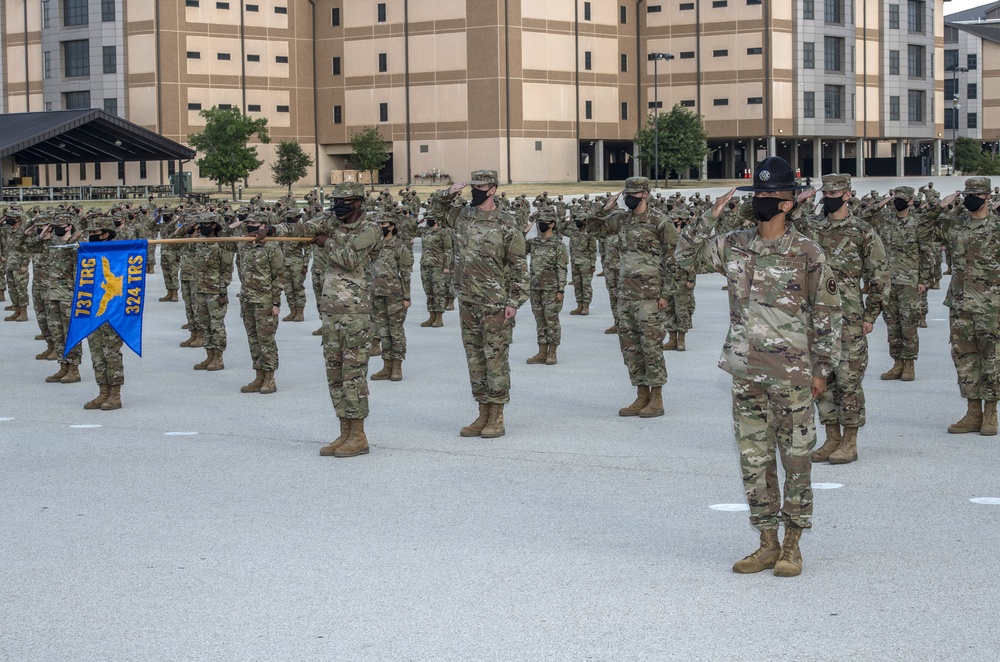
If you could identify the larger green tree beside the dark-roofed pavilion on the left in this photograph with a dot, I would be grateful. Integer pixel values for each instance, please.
(226, 157)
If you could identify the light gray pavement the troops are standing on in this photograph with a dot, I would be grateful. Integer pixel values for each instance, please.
(578, 536)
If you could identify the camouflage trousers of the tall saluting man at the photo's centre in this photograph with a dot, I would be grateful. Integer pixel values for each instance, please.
(486, 336)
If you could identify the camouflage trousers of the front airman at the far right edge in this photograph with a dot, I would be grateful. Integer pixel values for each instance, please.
(974, 349)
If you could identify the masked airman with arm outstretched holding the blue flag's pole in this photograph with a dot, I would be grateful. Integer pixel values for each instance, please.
(351, 243)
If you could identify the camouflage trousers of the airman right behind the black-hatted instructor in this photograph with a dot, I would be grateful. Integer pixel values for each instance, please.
(843, 402)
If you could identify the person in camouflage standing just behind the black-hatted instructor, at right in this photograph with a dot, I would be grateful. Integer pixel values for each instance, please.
(855, 253)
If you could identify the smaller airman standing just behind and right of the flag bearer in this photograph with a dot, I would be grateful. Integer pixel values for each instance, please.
(391, 277)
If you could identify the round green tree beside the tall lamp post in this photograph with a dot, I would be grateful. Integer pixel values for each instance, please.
(683, 141)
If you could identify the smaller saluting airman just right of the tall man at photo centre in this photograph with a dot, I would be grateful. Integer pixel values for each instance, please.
(548, 264)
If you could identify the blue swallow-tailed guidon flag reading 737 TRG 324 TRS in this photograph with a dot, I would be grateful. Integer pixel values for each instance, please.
(111, 288)
